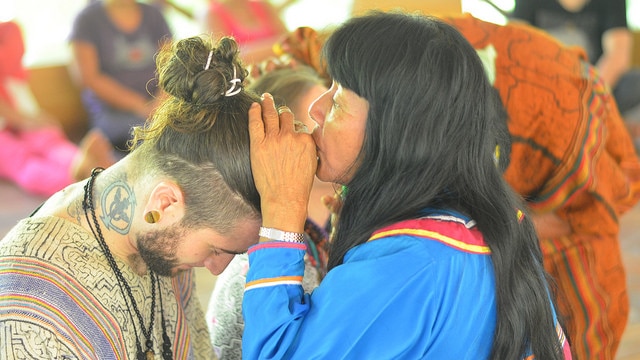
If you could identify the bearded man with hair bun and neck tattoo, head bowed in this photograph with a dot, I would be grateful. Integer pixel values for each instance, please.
(104, 268)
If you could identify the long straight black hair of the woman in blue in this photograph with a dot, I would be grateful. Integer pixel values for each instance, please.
(433, 125)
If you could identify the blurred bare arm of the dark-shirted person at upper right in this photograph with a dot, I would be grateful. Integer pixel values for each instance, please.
(617, 45)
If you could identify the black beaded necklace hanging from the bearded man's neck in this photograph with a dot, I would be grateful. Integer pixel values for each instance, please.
(125, 289)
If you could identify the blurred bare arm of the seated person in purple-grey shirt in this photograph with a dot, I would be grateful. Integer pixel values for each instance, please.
(105, 87)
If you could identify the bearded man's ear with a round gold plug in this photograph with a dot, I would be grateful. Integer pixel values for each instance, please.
(165, 204)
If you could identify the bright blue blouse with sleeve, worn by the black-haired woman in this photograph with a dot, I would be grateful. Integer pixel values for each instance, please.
(400, 298)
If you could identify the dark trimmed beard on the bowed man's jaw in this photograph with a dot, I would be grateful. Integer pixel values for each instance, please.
(158, 248)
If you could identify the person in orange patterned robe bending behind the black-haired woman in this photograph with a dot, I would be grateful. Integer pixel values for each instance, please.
(571, 158)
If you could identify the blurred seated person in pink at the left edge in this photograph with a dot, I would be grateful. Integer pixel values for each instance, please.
(35, 153)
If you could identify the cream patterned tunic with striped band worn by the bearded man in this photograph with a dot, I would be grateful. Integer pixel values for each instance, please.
(59, 300)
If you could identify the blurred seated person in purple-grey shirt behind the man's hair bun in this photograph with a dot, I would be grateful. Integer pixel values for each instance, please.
(114, 43)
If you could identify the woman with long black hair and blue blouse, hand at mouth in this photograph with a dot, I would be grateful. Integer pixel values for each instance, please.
(434, 255)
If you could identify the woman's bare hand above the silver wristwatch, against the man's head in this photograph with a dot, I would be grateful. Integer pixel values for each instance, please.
(283, 162)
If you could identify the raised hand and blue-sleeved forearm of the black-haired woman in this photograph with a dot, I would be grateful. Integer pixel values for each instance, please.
(283, 163)
